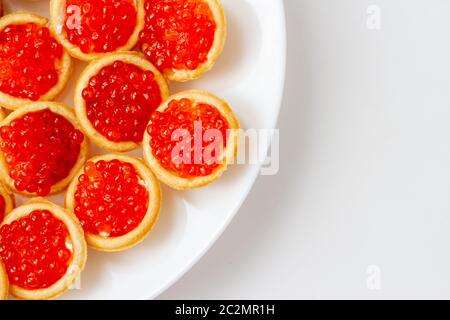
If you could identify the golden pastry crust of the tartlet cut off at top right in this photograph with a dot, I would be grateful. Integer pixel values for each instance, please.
(216, 49)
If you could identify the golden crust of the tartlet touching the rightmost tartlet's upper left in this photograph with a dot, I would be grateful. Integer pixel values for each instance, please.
(91, 70)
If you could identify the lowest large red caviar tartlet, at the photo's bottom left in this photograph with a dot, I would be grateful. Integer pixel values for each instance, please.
(43, 249)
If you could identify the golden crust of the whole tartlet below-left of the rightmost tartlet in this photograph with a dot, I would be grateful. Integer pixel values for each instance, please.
(137, 235)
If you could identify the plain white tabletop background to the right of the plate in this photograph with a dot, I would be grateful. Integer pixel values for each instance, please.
(365, 164)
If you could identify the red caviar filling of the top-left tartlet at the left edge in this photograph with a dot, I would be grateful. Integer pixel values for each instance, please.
(28, 61)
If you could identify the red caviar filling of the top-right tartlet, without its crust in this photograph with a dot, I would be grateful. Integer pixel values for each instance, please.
(178, 33)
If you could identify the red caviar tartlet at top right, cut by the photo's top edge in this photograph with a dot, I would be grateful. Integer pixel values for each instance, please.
(183, 38)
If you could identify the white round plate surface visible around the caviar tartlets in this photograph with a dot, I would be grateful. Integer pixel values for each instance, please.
(250, 76)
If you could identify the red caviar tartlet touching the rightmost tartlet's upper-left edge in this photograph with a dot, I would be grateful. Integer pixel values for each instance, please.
(115, 97)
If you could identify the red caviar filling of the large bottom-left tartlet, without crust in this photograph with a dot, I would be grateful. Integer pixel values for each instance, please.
(35, 250)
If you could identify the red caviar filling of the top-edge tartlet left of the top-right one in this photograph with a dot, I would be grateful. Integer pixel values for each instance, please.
(99, 26)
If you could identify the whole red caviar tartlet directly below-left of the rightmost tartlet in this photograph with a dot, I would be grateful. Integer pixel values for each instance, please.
(117, 200)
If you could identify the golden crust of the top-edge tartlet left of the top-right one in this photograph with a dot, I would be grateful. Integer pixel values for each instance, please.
(57, 13)
